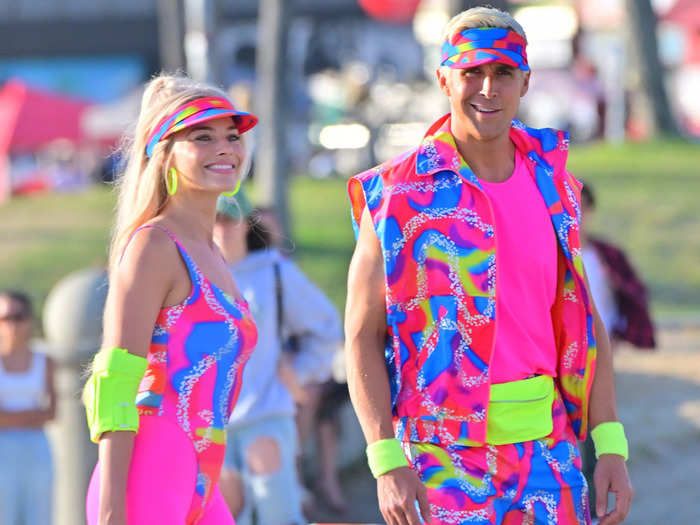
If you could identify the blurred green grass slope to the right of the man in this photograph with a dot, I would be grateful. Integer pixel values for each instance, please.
(648, 203)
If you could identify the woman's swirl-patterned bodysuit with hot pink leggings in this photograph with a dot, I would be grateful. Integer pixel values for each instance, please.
(195, 365)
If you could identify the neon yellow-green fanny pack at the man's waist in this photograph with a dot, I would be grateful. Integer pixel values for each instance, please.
(520, 410)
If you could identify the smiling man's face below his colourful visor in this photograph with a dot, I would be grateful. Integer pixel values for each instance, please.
(483, 99)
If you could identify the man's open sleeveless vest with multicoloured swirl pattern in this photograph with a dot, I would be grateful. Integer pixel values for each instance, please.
(436, 230)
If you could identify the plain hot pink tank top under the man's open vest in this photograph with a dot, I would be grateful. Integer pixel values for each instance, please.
(526, 278)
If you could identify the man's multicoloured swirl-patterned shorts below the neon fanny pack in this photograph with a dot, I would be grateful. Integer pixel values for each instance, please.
(531, 483)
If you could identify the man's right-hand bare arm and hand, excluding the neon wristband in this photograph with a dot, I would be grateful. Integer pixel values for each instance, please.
(610, 472)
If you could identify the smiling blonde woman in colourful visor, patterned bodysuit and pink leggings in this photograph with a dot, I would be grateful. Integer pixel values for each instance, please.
(177, 332)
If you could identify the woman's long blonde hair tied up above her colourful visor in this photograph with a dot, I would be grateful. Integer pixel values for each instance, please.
(141, 187)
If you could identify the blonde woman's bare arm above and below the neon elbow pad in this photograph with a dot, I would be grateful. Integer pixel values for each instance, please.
(139, 287)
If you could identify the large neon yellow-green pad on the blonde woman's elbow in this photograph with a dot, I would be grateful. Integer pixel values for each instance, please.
(110, 393)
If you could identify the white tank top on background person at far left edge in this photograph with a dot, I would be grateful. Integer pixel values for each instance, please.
(24, 390)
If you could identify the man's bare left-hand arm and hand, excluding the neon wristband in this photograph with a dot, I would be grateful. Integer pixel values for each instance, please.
(365, 337)
